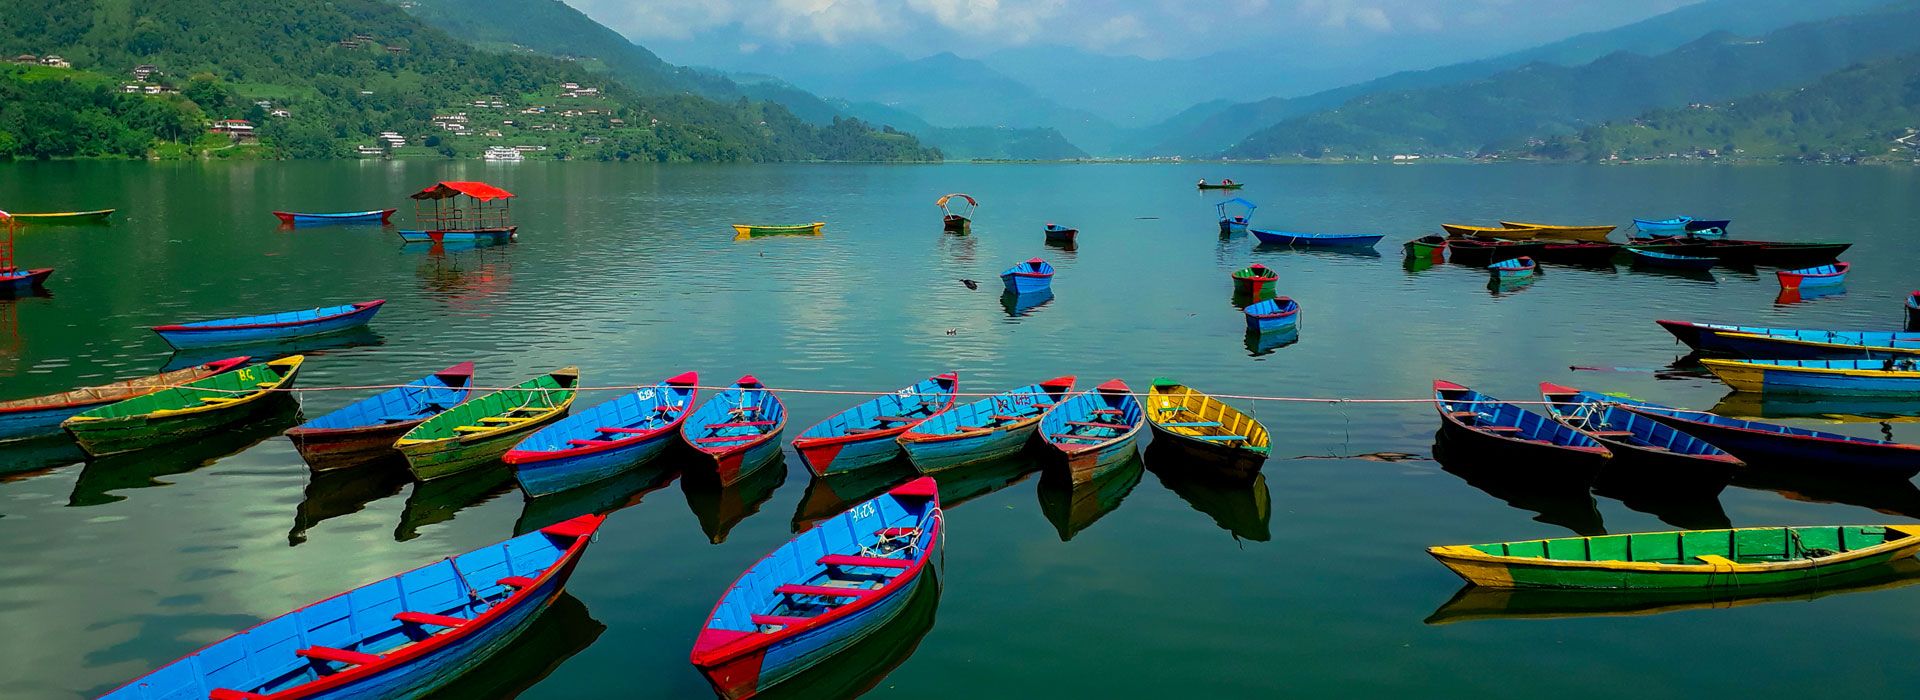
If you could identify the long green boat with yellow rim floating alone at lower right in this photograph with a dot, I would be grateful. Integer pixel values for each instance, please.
(1700, 559)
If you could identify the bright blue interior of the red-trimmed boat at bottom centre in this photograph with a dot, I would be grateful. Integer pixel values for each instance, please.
(827, 557)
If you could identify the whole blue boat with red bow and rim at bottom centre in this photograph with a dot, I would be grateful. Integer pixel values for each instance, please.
(823, 592)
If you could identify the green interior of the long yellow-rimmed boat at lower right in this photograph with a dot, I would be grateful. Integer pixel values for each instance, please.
(1748, 546)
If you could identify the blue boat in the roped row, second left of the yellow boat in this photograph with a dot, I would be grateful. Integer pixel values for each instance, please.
(982, 431)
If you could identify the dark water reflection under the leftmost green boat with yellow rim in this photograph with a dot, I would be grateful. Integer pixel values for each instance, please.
(145, 469)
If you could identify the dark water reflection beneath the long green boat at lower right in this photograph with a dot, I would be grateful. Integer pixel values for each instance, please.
(1481, 603)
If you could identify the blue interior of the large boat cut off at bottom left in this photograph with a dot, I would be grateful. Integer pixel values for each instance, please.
(362, 620)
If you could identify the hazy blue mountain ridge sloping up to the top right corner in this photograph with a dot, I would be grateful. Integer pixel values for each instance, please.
(1545, 101)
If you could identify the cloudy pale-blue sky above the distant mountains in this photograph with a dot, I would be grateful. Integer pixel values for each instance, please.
(1132, 28)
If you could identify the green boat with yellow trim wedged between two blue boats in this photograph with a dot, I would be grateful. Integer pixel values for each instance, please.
(481, 431)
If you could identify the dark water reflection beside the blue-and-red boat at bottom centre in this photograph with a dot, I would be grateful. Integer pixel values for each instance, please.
(861, 666)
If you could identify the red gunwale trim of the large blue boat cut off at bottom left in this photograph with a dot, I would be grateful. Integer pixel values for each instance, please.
(581, 528)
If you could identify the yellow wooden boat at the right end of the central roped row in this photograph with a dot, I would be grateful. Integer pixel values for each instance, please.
(1209, 431)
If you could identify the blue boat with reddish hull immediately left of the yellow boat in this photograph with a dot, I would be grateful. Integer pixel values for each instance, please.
(1095, 431)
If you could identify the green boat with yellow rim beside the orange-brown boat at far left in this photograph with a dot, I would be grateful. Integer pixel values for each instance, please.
(187, 411)
